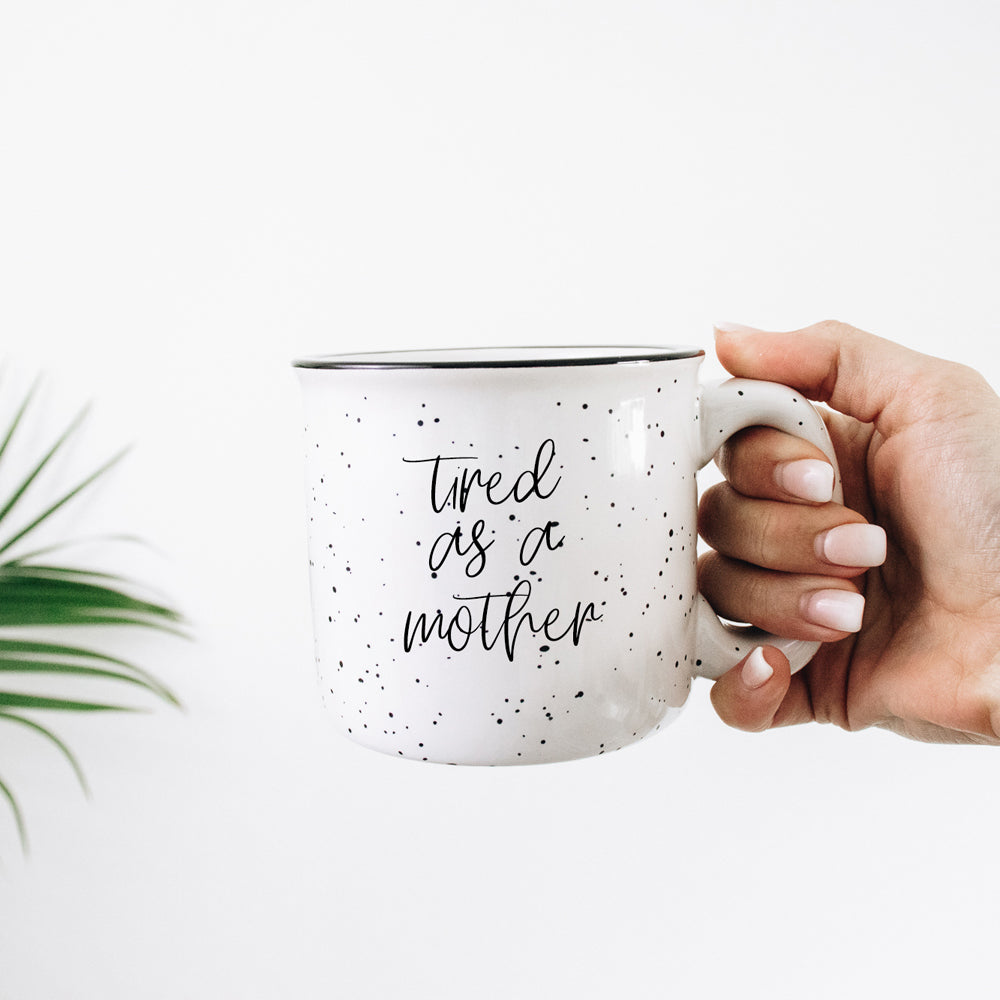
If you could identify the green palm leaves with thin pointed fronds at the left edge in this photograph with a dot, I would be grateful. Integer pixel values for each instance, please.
(38, 594)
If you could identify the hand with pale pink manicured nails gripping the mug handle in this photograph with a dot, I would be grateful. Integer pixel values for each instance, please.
(918, 442)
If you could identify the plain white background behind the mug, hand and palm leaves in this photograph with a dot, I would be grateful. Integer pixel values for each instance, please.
(191, 193)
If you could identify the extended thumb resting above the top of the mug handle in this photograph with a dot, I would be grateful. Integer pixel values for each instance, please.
(855, 372)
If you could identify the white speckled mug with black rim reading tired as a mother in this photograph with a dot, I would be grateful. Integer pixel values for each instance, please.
(503, 542)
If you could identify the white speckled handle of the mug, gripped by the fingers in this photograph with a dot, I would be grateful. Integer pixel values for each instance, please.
(726, 408)
